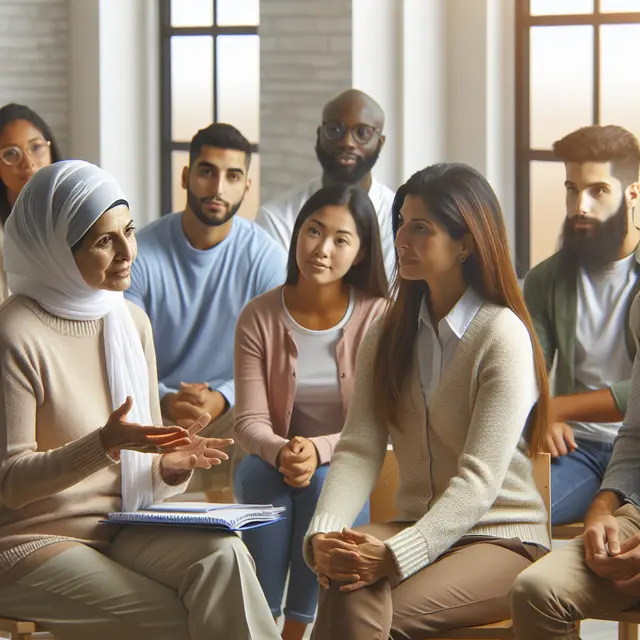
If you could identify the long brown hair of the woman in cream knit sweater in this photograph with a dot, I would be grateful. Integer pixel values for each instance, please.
(462, 200)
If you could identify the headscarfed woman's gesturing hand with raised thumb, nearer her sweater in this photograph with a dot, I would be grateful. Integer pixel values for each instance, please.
(118, 434)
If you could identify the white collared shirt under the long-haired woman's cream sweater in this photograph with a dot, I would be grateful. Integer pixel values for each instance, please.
(435, 351)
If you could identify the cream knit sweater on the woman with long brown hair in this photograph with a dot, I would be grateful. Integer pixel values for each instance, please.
(464, 470)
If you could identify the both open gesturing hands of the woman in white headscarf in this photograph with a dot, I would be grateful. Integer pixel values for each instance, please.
(182, 447)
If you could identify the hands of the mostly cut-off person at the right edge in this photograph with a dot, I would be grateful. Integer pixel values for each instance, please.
(618, 562)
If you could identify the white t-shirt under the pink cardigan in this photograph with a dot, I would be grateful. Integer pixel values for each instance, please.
(317, 407)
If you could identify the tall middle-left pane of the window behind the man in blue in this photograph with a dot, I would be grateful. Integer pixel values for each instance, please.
(191, 85)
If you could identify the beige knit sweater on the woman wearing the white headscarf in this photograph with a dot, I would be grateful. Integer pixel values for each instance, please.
(56, 482)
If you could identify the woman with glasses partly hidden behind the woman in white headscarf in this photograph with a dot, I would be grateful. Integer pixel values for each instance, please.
(26, 145)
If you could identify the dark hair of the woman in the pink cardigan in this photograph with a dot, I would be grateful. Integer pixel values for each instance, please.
(368, 275)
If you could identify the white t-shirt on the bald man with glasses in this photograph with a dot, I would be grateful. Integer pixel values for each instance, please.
(278, 216)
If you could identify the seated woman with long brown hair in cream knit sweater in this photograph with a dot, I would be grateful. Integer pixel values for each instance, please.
(454, 376)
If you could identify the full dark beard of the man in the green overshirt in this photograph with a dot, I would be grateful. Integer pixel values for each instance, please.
(594, 249)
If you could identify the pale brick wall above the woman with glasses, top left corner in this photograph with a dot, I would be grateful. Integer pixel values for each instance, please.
(33, 59)
